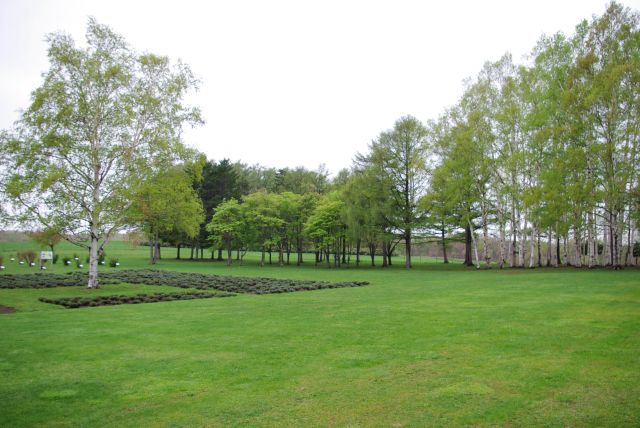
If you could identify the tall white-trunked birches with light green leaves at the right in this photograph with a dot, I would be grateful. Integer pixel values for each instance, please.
(548, 151)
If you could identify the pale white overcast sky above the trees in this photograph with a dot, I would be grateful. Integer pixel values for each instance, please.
(289, 83)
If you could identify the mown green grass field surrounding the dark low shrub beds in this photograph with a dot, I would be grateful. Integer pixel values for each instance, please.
(434, 346)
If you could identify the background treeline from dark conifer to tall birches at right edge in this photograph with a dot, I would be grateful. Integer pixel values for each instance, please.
(535, 165)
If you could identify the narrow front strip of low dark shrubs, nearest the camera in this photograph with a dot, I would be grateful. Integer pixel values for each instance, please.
(82, 302)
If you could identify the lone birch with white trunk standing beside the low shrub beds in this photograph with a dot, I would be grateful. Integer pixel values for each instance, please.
(103, 120)
